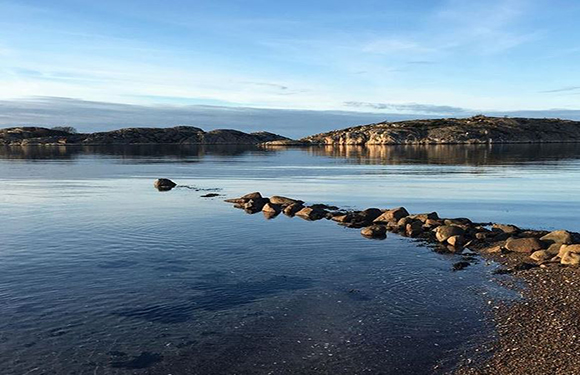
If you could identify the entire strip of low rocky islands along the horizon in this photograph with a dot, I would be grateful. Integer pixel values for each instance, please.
(451, 131)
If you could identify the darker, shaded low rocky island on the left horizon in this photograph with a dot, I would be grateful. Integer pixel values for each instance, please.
(175, 135)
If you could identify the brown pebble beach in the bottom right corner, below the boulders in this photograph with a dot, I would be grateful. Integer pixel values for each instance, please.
(539, 334)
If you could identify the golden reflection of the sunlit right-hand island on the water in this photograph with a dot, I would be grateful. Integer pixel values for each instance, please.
(449, 154)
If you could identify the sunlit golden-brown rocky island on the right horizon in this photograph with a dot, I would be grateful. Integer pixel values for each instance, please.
(473, 130)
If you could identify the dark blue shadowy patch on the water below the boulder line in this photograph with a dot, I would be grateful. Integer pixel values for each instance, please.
(215, 298)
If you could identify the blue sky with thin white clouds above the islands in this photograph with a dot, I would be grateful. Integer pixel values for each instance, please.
(298, 66)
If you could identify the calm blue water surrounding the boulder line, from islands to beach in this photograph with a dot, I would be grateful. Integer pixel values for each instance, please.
(102, 274)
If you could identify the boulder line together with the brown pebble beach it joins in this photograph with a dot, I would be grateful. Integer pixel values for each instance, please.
(538, 334)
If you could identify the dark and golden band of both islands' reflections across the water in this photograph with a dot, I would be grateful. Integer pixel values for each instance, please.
(471, 155)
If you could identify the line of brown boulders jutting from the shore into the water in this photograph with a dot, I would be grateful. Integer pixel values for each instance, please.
(451, 234)
